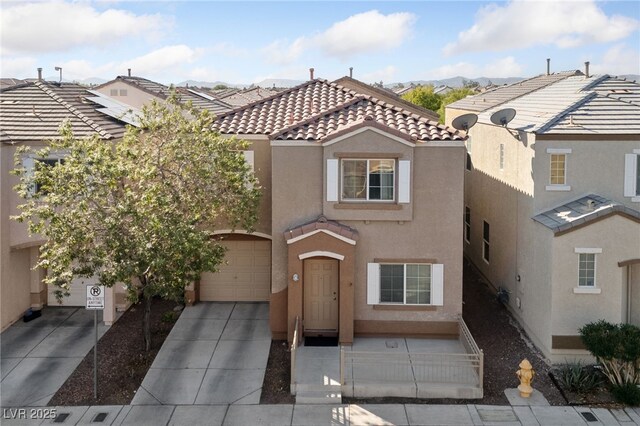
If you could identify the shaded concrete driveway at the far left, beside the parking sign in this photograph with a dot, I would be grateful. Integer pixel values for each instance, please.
(37, 357)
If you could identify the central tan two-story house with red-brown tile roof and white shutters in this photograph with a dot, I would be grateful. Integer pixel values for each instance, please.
(360, 226)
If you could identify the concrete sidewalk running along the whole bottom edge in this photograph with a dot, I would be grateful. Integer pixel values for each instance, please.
(388, 414)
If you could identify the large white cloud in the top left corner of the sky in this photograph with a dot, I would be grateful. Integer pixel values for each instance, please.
(58, 26)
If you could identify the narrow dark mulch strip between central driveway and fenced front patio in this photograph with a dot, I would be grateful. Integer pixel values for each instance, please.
(277, 377)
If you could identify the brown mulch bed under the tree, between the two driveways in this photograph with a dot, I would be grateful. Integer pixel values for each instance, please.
(122, 361)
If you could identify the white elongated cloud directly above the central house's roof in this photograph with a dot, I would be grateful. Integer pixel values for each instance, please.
(367, 32)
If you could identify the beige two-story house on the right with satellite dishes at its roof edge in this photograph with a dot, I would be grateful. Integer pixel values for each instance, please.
(552, 199)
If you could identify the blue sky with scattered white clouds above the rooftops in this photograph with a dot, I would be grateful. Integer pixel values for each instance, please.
(245, 42)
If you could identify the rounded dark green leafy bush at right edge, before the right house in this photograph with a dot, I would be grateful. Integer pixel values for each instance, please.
(617, 349)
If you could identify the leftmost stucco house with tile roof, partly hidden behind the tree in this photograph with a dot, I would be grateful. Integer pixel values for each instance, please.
(31, 114)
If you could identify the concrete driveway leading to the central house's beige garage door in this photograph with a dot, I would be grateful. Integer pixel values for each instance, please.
(216, 353)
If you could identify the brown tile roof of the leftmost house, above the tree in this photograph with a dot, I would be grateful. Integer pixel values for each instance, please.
(34, 112)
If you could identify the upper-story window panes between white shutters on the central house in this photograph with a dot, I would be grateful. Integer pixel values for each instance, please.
(368, 180)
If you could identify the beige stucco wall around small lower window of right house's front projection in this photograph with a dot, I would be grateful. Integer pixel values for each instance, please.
(619, 239)
